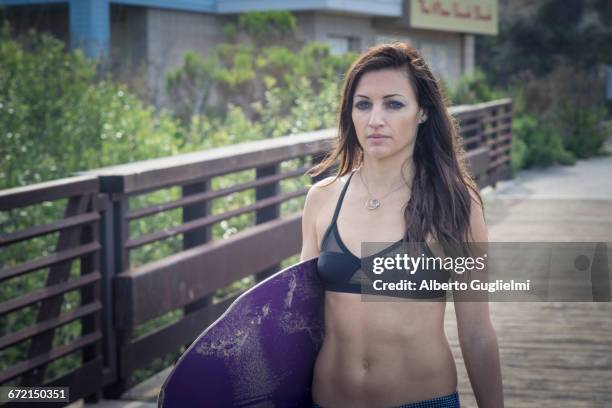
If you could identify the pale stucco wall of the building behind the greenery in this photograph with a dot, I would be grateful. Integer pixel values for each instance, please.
(161, 37)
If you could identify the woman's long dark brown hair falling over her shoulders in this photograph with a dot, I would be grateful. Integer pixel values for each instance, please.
(440, 201)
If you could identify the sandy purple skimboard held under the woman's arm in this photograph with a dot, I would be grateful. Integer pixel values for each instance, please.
(260, 352)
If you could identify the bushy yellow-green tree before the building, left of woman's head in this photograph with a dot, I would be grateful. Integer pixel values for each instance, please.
(241, 73)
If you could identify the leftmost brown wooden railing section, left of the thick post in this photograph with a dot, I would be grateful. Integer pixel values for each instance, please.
(77, 245)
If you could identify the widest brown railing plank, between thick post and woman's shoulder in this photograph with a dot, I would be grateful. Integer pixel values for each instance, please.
(192, 274)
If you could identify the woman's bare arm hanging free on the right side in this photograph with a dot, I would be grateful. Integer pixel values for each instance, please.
(477, 337)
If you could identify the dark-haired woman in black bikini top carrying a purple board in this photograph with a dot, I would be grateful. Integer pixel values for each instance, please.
(400, 175)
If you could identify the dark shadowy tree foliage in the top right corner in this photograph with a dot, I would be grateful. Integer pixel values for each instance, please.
(576, 34)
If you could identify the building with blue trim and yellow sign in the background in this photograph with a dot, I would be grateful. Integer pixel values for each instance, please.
(158, 32)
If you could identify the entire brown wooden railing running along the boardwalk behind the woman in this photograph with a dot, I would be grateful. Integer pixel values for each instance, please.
(119, 295)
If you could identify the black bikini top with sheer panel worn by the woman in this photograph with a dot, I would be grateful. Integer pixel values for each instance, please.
(341, 271)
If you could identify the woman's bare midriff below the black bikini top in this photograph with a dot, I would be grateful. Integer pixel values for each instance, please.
(380, 353)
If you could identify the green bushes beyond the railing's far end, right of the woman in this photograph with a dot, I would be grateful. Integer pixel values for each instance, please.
(545, 130)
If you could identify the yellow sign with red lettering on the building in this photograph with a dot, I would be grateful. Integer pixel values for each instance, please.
(468, 16)
